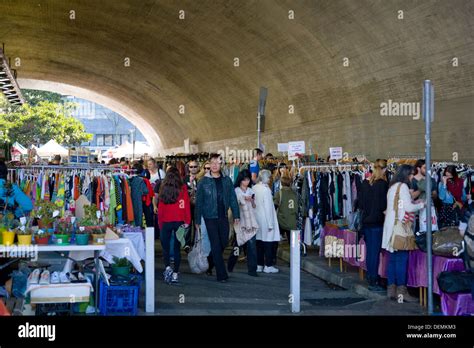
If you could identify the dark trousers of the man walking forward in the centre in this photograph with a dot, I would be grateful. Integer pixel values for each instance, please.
(218, 231)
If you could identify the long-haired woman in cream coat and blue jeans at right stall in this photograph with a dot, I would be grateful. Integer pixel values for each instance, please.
(398, 264)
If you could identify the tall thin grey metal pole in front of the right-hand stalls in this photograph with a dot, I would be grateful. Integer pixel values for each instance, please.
(428, 113)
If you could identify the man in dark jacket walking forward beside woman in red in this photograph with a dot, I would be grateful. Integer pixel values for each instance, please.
(215, 195)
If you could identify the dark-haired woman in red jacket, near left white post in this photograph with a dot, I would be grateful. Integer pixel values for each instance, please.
(173, 211)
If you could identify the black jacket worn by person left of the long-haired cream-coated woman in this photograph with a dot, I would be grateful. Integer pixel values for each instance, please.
(373, 202)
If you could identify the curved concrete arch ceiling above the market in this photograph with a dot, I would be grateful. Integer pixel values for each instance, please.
(190, 62)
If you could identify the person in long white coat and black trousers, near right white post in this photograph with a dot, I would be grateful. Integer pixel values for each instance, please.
(267, 220)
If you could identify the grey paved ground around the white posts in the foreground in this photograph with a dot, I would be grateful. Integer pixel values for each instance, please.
(266, 295)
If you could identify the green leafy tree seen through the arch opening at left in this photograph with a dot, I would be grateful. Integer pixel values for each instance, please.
(30, 124)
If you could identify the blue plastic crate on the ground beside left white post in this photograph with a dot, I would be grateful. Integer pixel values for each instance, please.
(118, 299)
